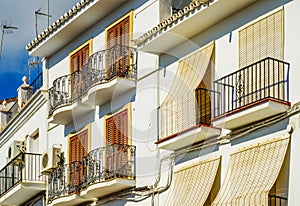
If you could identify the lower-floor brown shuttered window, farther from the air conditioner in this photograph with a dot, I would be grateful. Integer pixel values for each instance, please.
(116, 144)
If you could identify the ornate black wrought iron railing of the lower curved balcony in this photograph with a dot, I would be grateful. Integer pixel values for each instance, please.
(100, 165)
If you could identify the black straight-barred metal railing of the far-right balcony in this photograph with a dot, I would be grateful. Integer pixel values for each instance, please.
(267, 78)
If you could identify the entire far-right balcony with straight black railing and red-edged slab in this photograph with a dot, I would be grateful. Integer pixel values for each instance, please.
(256, 92)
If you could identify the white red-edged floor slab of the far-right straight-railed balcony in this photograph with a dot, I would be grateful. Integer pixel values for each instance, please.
(248, 114)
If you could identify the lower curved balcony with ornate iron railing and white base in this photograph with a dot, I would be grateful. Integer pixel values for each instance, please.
(103, 171)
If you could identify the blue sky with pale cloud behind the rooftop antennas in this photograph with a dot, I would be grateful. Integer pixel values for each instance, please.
(14, 57)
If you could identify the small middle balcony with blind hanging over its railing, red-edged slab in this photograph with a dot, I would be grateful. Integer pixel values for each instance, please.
(190, 123)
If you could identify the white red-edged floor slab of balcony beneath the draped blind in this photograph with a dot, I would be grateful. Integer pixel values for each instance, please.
(188, 137)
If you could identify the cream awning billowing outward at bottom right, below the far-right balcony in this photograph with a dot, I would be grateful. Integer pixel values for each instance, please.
(252, 173)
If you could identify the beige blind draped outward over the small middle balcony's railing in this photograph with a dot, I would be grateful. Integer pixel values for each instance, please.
(179, 109)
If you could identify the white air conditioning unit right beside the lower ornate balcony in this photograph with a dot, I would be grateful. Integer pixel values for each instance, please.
(49, 159)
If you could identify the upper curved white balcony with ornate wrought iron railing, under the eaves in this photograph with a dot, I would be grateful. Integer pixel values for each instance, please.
(107, 74)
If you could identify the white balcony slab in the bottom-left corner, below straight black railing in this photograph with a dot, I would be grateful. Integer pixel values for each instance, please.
(22, 192)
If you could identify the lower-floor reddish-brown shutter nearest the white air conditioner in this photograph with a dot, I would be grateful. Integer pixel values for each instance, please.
(78, 150)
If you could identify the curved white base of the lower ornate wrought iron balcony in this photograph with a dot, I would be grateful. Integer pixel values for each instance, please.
(94, 191)
